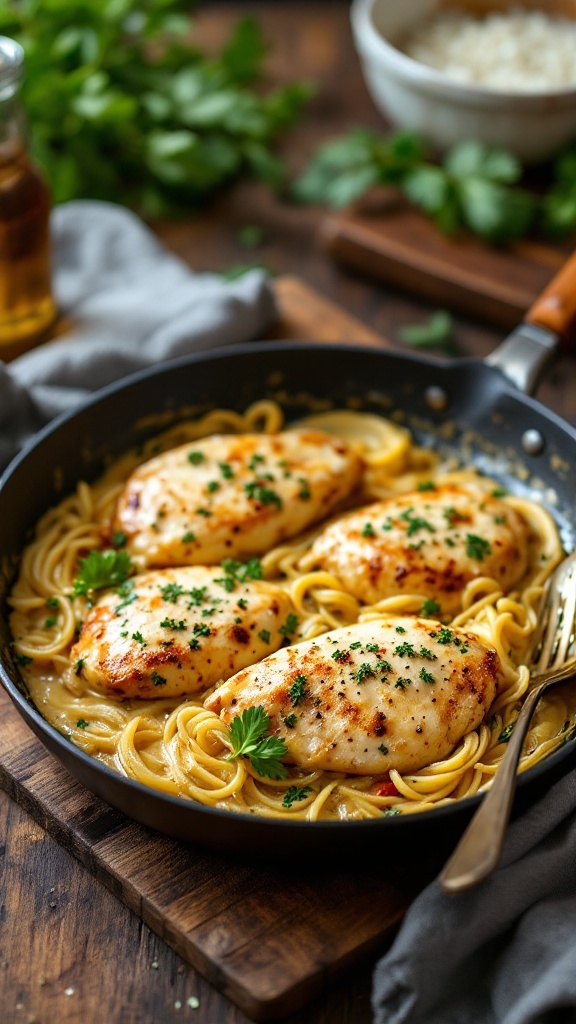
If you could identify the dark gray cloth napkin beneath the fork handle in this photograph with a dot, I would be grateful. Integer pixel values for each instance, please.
(504, 953)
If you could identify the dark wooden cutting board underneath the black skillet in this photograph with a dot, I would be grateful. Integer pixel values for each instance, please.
(269, 937)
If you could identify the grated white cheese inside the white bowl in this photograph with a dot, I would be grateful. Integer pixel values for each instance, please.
(514, 52)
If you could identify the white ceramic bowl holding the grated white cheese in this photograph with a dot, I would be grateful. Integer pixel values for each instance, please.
(410, 95)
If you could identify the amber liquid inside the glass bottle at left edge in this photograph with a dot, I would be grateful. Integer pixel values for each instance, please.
(27, 308)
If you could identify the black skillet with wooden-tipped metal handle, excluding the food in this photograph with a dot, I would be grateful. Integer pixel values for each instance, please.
(467, 408)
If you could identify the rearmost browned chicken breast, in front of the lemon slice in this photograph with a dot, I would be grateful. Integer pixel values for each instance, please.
(233, 496)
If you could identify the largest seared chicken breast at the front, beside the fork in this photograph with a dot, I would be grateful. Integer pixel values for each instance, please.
(365, 699)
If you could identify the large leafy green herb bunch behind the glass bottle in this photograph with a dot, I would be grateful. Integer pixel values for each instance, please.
(125, 107)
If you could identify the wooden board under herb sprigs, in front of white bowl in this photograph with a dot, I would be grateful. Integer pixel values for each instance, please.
(386, 239)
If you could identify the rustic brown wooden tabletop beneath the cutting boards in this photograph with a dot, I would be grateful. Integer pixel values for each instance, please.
(70, 952)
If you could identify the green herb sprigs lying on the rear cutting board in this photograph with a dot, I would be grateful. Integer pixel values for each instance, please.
(475, 187)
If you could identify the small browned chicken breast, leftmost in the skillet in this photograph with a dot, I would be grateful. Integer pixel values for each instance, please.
(179, 631)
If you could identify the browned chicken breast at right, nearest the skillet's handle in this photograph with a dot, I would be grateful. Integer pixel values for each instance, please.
(429, 543)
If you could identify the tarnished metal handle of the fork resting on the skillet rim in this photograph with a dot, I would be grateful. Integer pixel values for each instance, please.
(481, 846)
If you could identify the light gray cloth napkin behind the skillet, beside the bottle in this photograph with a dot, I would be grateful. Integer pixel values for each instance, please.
(131, 305)
